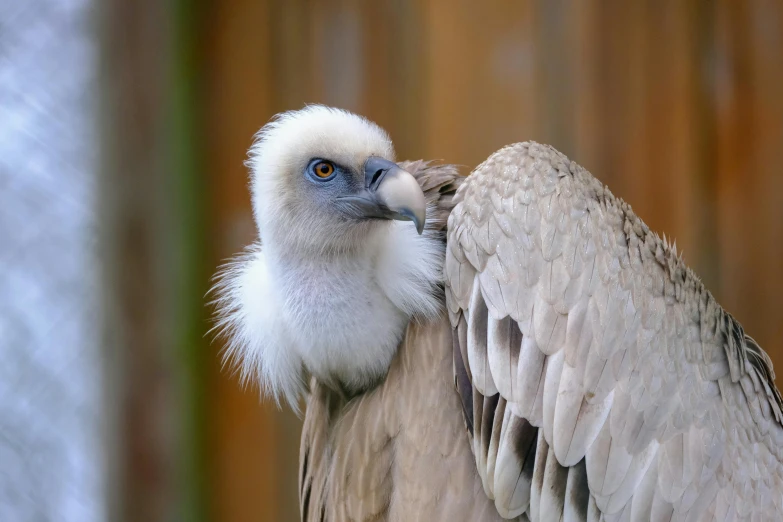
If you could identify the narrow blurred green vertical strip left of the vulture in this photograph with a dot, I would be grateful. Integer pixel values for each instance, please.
(187, 272)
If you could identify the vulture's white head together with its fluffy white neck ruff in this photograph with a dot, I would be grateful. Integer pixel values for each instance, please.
(342, 262)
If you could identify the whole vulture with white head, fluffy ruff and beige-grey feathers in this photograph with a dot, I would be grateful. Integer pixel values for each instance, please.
(511, 345)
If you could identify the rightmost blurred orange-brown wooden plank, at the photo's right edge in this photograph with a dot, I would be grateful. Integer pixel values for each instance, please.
(749, 119)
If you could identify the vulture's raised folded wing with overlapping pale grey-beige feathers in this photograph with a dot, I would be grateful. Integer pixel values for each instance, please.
(599, 379)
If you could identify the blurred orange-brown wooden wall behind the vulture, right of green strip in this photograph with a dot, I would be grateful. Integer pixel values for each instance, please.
(676, 105)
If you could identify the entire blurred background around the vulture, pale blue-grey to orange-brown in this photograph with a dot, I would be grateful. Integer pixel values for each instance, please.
(123, 129)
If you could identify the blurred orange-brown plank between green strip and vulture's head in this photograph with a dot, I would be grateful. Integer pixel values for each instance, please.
(253, 446)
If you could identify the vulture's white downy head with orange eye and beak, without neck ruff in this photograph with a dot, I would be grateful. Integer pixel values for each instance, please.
(324, 180)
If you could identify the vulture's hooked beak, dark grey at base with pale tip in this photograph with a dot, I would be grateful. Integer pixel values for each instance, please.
(389, 193)
